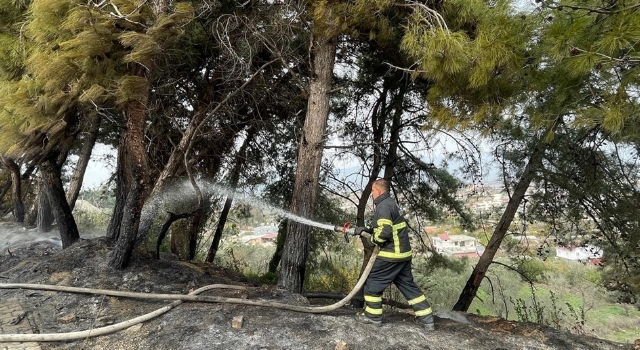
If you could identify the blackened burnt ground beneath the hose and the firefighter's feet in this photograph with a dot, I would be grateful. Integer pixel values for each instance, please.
(209, 326)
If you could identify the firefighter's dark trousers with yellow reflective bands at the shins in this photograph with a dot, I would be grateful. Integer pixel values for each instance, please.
(381, 276)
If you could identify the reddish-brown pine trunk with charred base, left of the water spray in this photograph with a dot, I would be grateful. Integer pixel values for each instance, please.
(134, 165)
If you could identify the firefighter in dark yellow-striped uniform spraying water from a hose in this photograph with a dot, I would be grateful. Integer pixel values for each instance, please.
(393, 263)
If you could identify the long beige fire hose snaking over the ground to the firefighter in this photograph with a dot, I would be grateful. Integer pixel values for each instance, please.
(179, 298)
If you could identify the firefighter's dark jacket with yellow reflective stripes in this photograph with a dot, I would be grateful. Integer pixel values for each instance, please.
(390, 230)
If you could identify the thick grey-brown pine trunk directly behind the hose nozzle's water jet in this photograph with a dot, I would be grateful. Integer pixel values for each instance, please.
(296, 247)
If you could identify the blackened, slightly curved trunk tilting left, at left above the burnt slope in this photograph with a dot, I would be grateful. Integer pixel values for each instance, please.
(50, 173)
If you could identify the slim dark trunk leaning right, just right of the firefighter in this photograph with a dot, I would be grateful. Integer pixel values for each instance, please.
(473, 283)
